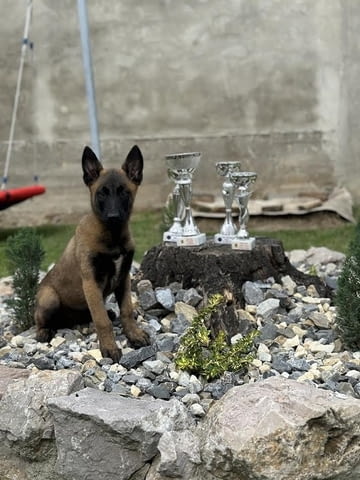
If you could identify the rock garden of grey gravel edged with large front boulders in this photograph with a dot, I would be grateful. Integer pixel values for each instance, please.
(293, 412)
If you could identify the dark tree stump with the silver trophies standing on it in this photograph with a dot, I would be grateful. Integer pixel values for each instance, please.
(219, 269)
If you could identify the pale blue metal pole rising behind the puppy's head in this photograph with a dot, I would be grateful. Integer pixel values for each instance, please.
(88, 73)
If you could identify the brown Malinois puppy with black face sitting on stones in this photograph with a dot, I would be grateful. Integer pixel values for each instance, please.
(97, 259)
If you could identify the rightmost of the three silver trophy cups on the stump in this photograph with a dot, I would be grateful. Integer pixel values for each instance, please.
(243, 182)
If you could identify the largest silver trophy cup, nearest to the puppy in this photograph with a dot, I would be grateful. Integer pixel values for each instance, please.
(181, 167)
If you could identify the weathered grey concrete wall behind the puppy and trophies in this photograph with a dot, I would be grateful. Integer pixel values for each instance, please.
(273, 83)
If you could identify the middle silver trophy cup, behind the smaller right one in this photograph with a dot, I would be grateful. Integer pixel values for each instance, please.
(228, 230)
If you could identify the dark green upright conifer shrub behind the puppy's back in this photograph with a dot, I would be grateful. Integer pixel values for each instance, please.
(24, 255)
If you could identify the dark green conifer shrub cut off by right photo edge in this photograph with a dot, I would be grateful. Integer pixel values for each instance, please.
(347, 297)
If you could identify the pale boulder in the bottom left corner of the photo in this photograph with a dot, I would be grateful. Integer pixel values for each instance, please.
(27, 447)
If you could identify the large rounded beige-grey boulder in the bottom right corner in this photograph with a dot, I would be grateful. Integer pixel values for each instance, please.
(280, 429)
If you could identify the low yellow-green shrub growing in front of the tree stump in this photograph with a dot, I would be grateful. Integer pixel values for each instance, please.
(200, 354)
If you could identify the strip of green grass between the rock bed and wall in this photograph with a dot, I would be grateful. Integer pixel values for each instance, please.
(146, 229)
